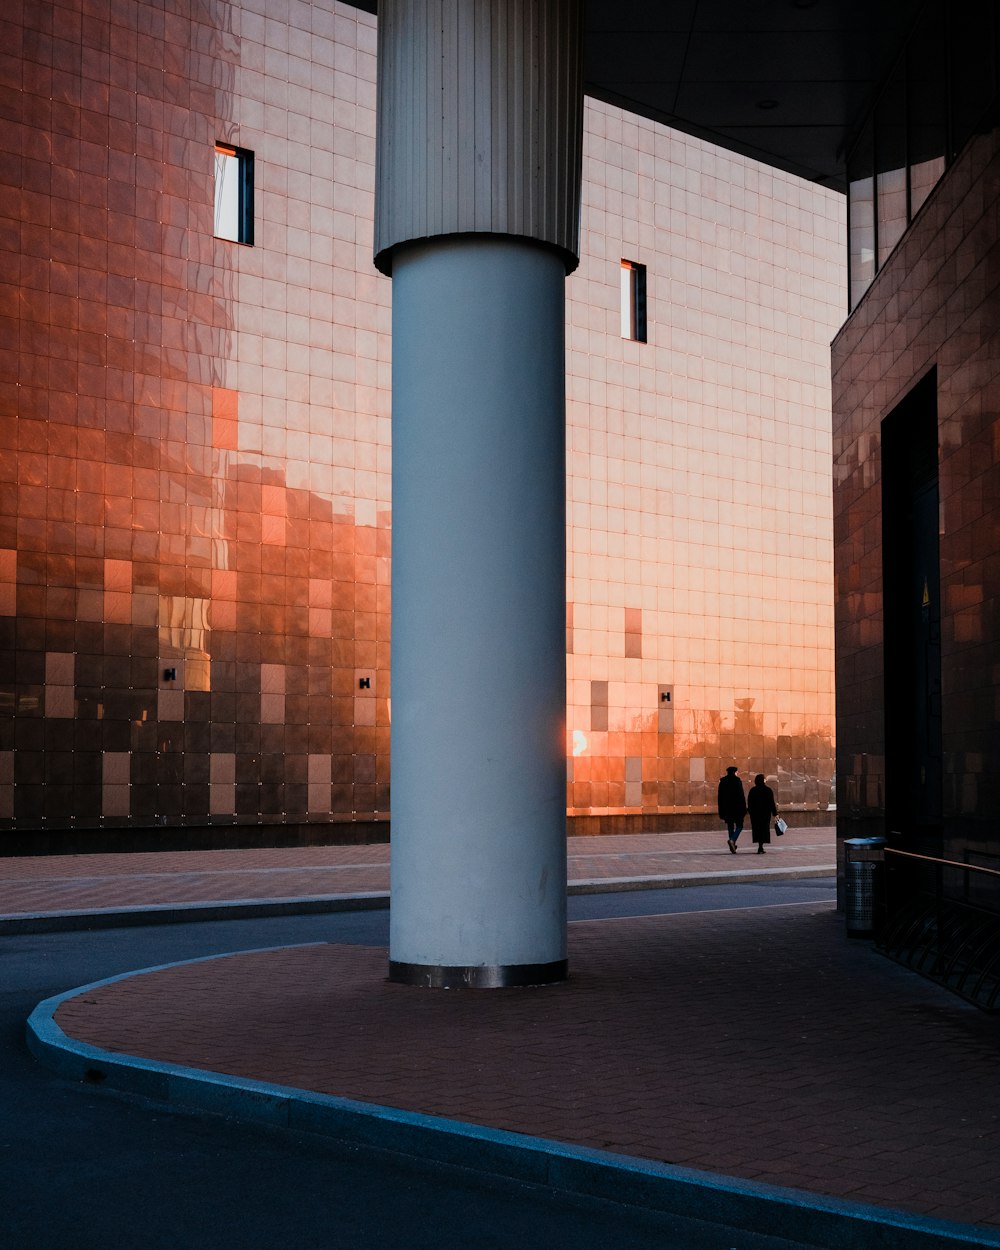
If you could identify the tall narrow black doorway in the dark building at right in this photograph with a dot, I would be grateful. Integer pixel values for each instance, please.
(913, 621)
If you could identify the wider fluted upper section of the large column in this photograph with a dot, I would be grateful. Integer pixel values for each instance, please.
(479, 123)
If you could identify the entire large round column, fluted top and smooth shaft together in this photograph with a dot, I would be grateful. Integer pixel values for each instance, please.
(477, 219)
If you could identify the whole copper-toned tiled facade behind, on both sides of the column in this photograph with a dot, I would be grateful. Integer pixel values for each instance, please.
(196, 444)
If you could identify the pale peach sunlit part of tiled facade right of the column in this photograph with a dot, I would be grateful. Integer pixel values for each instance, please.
(699, 483)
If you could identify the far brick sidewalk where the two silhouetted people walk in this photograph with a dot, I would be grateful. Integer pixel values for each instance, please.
(33, 886)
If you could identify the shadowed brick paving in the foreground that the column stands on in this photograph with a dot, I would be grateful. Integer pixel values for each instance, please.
(759, 1044)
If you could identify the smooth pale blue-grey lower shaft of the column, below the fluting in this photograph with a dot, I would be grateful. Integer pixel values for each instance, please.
(479, 794)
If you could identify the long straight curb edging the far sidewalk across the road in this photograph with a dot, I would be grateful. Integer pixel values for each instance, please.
(242, 909)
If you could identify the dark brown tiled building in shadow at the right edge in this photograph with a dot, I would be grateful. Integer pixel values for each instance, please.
(917, 488)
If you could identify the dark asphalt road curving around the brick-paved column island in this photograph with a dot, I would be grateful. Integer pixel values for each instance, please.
(84, 1169)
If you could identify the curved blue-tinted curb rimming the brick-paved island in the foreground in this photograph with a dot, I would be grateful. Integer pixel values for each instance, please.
(816, 1221)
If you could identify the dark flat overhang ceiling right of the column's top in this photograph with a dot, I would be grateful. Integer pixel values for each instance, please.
(783, 82)
